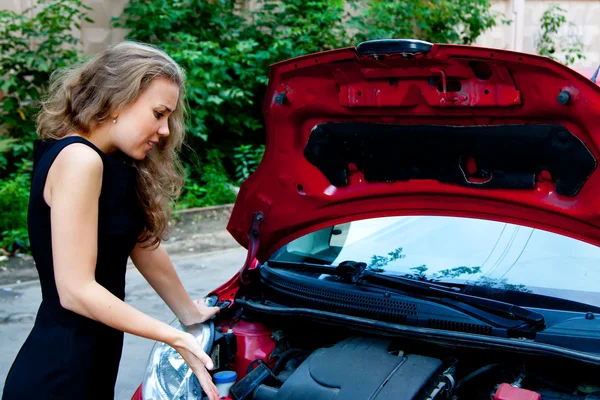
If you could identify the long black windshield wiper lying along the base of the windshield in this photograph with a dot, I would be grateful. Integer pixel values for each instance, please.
(357, 272)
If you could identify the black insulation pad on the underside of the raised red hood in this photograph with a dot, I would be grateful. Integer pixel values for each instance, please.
(506, 156)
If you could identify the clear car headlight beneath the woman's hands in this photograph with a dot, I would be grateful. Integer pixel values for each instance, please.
(168, 377)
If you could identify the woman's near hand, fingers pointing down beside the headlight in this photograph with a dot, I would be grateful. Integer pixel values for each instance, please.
(191, 351)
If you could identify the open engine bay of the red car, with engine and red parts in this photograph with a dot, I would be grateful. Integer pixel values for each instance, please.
(293, 358)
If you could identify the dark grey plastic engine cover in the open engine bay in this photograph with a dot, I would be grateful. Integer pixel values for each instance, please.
(359, 368)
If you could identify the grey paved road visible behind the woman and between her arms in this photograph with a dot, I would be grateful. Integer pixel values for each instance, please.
(199, 273)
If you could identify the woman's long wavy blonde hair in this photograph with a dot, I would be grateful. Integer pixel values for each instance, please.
(85, 95)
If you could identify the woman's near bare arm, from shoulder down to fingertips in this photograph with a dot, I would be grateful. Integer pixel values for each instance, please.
(72, 191)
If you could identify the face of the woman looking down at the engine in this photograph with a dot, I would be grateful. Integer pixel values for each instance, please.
(143, 123)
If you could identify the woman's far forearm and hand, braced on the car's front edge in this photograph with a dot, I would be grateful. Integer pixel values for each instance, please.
(156, 266)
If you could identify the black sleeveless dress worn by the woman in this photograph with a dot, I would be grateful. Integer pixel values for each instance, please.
(66, 355)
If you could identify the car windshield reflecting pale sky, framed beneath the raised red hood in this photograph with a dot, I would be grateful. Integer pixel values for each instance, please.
(479, 254)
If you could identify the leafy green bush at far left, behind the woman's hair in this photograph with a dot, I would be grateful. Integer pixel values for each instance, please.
(33, 44)
